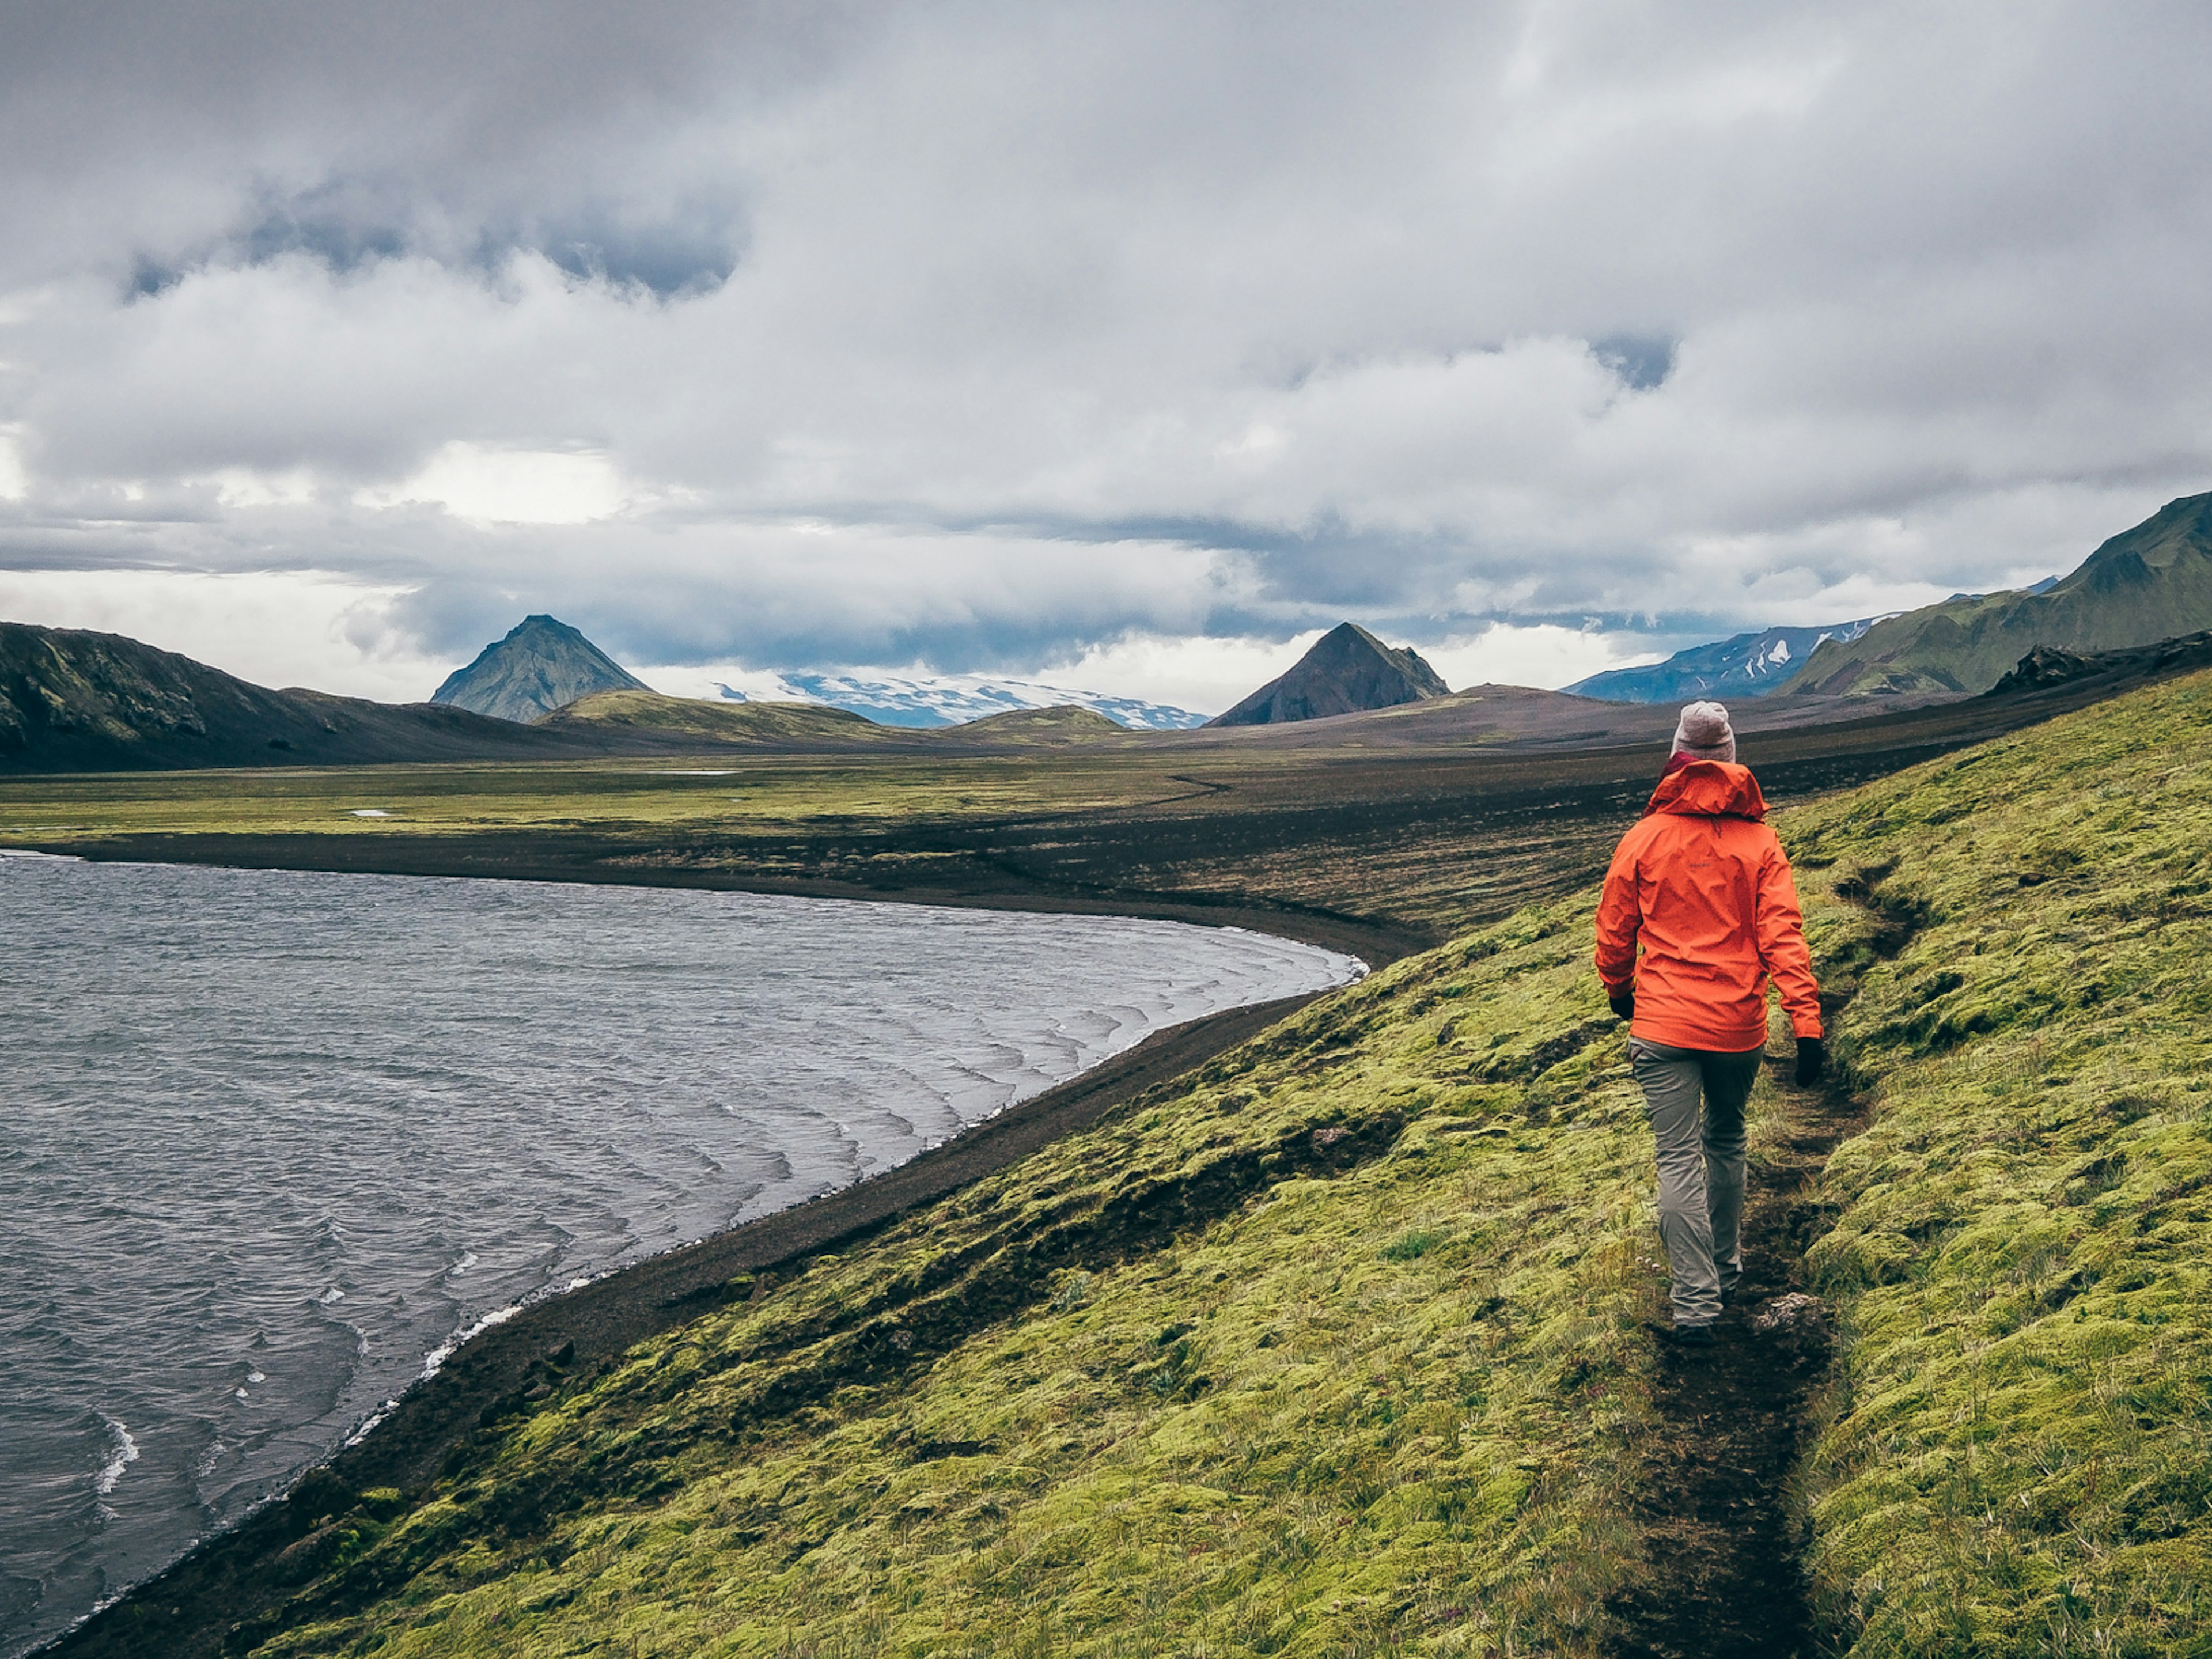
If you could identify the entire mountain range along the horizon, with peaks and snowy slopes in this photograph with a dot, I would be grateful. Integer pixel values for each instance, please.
(74, 700)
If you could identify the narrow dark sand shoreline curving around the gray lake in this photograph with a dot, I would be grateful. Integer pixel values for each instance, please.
(233, 1574)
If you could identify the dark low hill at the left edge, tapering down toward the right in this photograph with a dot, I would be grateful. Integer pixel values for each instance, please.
(98, 702)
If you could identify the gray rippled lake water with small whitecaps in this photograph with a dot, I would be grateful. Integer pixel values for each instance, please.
(271, 1142)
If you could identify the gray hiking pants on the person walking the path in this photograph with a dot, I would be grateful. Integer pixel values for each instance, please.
(1700, 1167)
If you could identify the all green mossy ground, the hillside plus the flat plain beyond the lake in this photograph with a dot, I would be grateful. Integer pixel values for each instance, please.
(1346, 1344)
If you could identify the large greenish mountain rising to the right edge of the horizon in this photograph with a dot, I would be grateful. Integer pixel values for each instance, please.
(2145, 585)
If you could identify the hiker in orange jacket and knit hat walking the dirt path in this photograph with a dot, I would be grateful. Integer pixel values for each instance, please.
(1702, 886)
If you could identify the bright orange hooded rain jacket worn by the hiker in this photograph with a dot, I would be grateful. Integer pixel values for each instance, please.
(1707, 890)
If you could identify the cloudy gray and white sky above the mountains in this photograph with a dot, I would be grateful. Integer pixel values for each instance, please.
(1109, 344)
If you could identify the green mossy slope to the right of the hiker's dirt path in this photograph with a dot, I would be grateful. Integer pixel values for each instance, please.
(2021, 1454)
